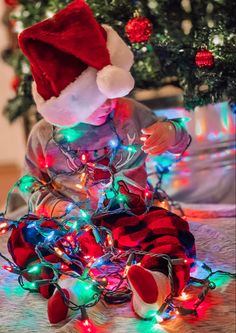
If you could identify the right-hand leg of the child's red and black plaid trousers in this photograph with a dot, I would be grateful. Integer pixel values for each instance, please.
(158, 231)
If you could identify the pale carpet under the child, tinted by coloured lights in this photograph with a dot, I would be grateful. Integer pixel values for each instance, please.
(25, 312)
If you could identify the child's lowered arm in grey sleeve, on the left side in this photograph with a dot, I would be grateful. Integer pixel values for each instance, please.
(45, 201)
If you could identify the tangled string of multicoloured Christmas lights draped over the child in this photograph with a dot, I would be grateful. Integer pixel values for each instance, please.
(62, 238)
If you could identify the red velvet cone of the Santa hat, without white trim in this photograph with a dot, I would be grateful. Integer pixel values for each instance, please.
(59, 49)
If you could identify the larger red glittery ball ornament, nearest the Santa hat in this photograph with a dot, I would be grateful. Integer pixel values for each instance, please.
(138, 29)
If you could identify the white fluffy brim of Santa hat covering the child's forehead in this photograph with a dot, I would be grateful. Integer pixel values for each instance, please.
(75, 103)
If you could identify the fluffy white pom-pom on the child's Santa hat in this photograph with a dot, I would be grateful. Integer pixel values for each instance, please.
(114, 81)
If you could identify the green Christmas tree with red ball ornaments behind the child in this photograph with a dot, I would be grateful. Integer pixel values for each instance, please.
(187, 44)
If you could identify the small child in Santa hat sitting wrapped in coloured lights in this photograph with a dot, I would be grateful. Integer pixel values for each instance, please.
(81, 72)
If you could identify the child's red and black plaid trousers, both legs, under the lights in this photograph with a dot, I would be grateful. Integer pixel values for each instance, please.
(157, 231)
